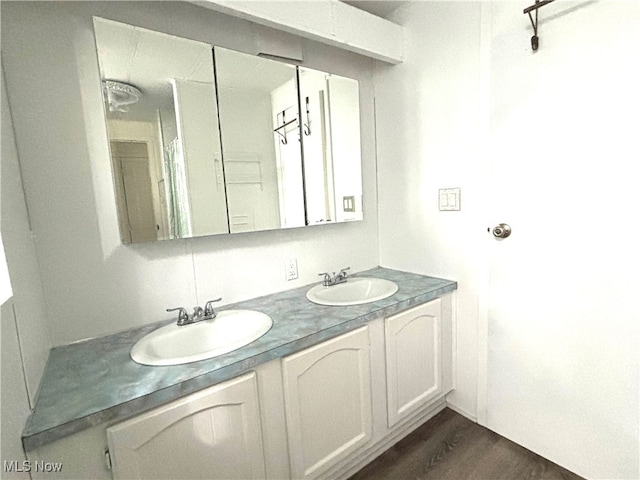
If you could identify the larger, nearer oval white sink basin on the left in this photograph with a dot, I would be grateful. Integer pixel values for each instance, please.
(174, 345)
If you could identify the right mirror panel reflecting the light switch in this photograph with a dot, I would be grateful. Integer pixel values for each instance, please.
(331, 147)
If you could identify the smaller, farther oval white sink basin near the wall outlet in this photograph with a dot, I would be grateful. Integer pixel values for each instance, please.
(354, 291)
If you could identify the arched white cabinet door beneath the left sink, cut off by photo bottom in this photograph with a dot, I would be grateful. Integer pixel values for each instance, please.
(212, 434)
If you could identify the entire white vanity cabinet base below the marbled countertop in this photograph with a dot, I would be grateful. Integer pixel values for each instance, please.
(323, 412)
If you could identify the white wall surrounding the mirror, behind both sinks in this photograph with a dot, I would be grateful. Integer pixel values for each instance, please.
(92, 284)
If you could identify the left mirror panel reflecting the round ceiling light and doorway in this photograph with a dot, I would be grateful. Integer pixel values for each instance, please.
(163, 129)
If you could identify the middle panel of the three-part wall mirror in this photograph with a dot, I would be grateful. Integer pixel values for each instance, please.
(258, 104)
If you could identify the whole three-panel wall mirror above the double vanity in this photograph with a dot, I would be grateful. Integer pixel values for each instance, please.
(257, 145)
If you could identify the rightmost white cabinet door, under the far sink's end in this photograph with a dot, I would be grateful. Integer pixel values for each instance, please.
(414, 359)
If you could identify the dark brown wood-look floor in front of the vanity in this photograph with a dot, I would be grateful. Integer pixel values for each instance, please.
(452, 447)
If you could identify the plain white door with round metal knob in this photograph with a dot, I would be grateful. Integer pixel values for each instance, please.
(562, 349)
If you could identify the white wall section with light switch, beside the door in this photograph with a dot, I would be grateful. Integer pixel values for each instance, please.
(428, 137)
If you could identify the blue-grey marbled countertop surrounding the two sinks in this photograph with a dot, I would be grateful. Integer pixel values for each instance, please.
(95, 381)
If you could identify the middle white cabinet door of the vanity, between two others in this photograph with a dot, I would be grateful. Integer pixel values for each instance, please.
(328, 402)
